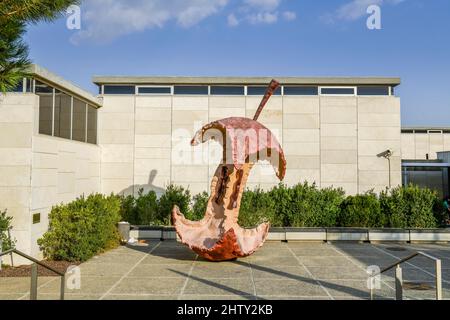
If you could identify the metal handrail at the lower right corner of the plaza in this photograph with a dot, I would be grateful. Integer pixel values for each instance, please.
(399, 277)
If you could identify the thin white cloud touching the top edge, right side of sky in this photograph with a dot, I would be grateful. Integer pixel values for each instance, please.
(355, 9)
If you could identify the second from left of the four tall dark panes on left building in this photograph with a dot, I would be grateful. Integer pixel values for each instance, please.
(63, 115)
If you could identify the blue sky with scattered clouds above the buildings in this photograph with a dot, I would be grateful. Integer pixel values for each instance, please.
(259, 37)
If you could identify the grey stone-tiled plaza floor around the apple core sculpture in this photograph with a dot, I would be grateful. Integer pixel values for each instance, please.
(294, 270)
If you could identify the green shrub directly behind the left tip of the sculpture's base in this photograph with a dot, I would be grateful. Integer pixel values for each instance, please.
(174, 195)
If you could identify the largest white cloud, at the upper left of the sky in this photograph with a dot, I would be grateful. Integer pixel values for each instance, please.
(105, 20)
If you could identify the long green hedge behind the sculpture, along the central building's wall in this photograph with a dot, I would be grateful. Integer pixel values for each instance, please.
(303, 205)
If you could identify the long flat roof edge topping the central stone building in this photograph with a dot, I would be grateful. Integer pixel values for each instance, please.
(180, 80)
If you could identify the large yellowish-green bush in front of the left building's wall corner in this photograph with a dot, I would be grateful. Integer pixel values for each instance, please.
(82, 228)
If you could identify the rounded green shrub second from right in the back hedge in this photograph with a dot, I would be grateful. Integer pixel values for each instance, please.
(362, 210)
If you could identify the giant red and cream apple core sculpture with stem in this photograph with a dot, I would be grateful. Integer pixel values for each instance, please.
(218, 237)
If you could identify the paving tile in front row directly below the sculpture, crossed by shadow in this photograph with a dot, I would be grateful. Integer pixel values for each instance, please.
(242, 286)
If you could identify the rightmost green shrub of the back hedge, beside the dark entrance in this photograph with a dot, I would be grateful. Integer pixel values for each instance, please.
(411, 206)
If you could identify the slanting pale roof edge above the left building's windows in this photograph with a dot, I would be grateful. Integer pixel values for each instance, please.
(49, 77)
